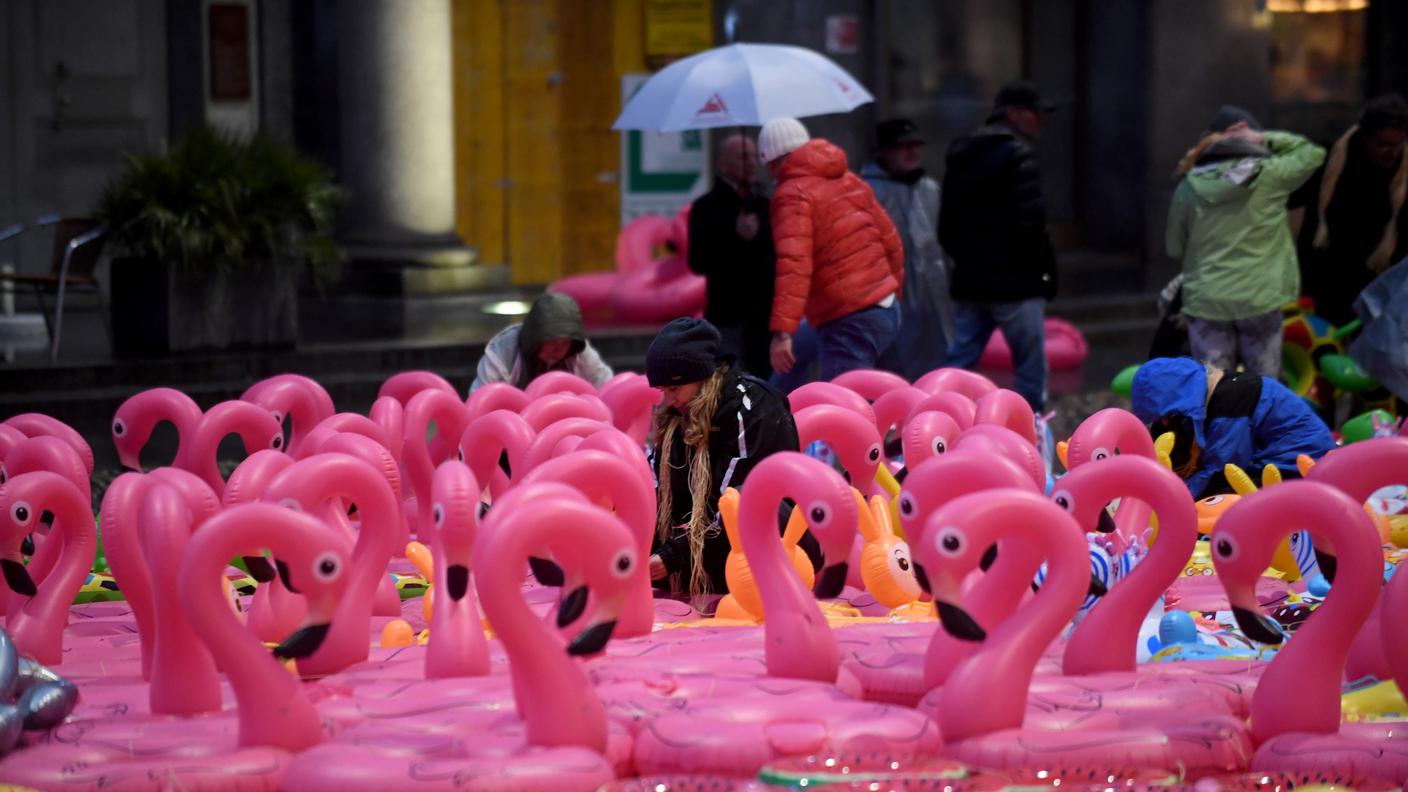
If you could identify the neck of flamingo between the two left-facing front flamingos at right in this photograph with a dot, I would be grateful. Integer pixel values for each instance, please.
(1106, 641)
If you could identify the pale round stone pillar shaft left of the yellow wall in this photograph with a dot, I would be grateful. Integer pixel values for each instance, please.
(396, 118)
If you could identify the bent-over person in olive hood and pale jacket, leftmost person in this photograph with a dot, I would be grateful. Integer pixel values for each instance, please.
(550, 339)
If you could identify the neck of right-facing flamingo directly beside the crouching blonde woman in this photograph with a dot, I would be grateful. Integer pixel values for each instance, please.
(799, 641)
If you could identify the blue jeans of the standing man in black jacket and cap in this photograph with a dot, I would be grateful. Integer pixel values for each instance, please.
(1023, 325)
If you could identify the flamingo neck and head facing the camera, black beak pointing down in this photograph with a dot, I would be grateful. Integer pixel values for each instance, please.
(458, 646)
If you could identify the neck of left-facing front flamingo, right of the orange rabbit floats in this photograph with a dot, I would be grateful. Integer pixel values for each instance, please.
(972, 704)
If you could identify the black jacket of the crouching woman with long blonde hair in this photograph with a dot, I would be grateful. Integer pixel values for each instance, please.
(768, 428)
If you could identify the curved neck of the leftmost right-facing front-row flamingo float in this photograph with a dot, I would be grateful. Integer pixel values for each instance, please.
(271, 704)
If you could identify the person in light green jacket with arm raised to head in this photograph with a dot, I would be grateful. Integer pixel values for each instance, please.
(1228, 229)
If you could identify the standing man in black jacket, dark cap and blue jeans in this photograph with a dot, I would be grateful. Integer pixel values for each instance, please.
(993, 226)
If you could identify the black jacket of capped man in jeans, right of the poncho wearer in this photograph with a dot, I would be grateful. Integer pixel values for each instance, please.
(993, 219)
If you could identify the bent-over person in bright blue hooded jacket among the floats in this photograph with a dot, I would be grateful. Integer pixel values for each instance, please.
(1220, 418)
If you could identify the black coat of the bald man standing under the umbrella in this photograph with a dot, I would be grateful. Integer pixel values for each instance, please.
(740, 273)
